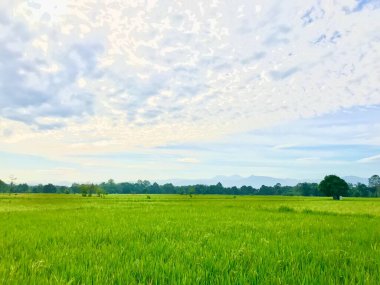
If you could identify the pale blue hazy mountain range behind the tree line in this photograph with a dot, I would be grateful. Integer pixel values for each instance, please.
(254, 181)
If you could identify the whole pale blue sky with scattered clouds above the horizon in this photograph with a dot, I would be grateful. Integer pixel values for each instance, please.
(92, 90)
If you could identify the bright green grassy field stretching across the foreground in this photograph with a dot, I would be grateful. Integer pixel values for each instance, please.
(175, 239)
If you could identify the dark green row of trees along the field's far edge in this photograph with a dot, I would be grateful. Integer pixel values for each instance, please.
(331, 186)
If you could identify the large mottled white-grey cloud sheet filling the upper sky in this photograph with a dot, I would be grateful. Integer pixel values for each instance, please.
(146, 74)
